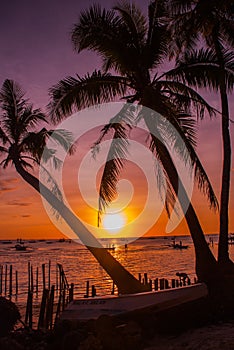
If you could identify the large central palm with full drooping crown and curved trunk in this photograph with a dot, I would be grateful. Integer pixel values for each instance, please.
(134, 49)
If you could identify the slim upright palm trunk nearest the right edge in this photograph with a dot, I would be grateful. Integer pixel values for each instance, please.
(223, 251)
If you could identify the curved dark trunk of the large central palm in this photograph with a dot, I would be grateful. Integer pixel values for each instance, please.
(206, 264)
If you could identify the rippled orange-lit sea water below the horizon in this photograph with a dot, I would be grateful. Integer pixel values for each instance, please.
(154, 256)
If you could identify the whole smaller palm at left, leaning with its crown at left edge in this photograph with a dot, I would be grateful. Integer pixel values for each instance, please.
(23, 147)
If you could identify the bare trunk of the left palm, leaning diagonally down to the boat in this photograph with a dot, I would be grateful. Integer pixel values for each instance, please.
(125, 281)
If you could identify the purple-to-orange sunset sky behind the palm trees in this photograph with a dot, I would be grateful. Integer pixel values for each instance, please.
(36, 52)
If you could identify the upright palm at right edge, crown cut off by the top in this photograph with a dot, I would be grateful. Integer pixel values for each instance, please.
(213, 22)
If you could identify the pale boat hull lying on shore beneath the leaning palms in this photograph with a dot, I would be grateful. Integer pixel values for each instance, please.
(84, 309)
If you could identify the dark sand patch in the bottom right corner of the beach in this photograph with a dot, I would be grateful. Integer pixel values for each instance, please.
(214, 337)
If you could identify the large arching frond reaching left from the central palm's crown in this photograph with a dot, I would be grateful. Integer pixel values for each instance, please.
(76, 93)
